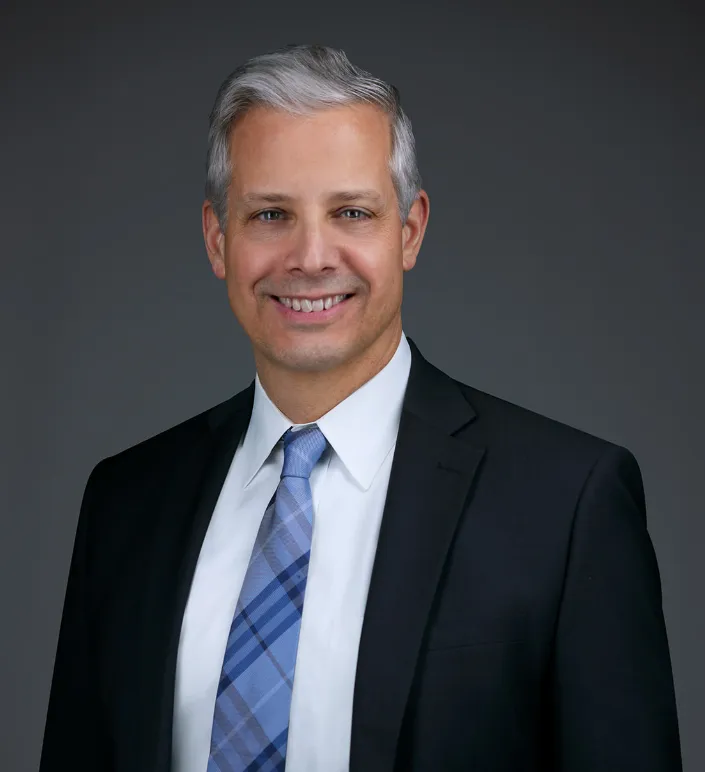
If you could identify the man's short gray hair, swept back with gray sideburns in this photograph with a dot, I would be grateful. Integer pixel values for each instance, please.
(301, 79)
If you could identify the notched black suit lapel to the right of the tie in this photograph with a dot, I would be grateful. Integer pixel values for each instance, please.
(430, 481)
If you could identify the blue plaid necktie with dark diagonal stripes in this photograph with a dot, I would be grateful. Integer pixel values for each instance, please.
(251, 719)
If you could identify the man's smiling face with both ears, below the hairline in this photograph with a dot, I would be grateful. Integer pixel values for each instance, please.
(313, 214)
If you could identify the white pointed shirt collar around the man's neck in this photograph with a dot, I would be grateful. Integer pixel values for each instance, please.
(361, 429)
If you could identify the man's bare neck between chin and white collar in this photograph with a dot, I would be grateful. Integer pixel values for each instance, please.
(304, 396)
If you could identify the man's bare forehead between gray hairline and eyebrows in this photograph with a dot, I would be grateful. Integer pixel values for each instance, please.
(347, 145)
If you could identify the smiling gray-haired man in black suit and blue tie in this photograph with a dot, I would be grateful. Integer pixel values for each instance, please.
(357, 562)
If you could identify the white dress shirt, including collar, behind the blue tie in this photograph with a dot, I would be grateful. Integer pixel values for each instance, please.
(349, 487)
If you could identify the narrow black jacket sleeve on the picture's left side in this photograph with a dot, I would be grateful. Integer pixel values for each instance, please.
(74, 734)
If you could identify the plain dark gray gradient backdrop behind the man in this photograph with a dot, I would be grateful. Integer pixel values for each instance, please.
(562, 269)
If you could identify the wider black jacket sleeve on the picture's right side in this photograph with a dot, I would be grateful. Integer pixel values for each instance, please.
(614, 697)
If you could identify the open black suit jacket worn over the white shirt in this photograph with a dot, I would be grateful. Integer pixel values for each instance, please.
(514, 616)
